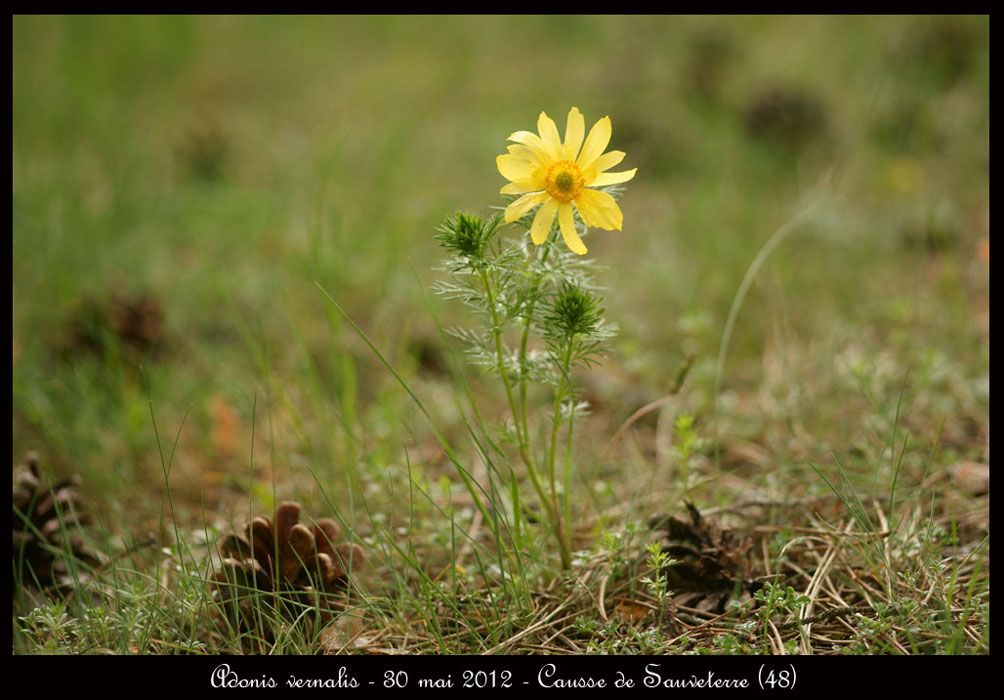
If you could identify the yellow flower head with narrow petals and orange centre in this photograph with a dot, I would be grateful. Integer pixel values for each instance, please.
(557, 175)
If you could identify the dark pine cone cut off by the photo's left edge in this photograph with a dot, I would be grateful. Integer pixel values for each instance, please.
(46, 534)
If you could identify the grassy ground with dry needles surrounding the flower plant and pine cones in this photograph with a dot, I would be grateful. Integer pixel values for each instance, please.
(246, 172)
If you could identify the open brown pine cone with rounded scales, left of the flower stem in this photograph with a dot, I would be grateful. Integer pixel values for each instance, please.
(300, 567)
